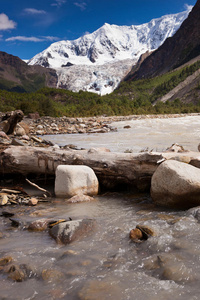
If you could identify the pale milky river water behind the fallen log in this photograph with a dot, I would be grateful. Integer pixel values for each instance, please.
(156, 134)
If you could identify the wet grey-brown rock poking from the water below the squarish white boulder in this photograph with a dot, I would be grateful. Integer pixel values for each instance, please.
(69, 231)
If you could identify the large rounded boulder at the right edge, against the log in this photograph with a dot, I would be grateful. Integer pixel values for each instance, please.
(176, 184)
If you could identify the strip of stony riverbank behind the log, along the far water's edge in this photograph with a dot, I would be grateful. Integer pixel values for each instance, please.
(28, 130)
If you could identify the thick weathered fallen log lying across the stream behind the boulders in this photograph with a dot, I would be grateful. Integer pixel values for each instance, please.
(114, 170)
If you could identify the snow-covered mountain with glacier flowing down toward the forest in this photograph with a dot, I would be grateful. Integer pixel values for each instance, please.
(98, 61)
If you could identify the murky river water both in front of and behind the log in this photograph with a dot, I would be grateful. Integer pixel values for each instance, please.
(106, 264)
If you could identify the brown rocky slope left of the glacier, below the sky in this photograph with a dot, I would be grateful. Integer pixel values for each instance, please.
(16, 75)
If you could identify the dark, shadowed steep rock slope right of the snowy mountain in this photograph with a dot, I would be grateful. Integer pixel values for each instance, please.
(175, 51)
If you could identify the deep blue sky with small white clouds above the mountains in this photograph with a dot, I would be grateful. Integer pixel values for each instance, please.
(27, 27)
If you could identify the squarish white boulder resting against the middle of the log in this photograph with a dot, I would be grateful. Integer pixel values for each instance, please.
(75, 180)
